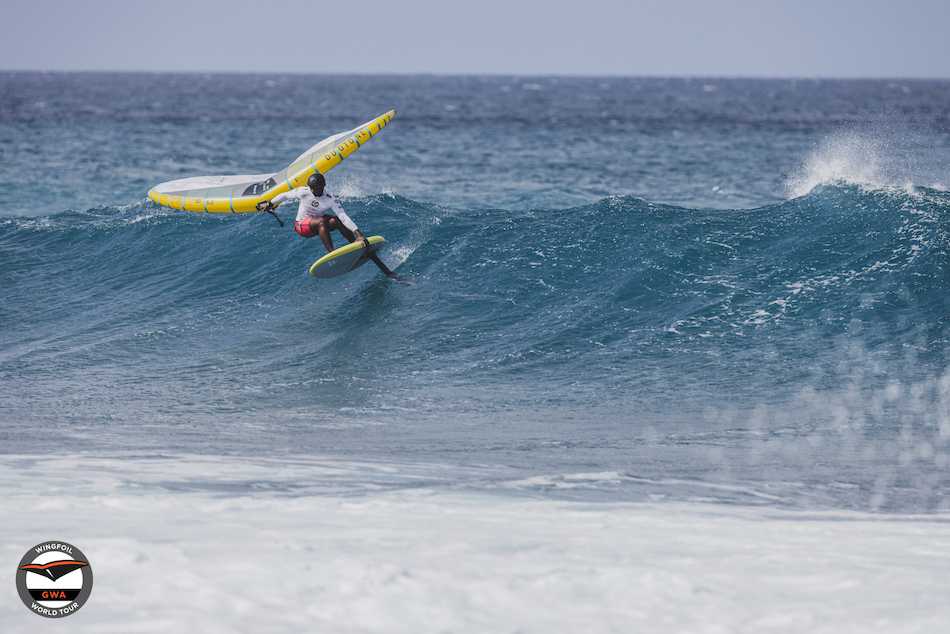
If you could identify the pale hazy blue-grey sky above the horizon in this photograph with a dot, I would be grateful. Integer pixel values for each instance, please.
(753, 38)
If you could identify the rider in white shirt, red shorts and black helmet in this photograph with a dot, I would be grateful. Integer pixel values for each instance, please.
(312, 219)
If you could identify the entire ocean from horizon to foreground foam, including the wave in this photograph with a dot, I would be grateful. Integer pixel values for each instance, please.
(675, 356)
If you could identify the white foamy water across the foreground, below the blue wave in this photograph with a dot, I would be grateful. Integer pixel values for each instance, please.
(420, 560)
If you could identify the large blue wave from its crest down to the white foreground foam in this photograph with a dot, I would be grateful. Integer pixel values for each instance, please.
(621, 336)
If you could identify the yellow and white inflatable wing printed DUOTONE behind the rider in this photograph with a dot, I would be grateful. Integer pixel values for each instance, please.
(241, 194)
